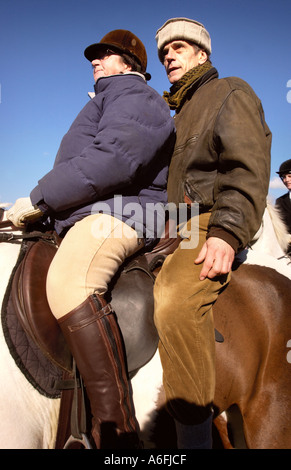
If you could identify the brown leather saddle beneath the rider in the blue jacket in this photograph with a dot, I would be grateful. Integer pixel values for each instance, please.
(28, 295)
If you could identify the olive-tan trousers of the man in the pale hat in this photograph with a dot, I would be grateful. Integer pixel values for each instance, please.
(183, 317)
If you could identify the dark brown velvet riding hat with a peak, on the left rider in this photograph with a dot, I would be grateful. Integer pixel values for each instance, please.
(122, 41)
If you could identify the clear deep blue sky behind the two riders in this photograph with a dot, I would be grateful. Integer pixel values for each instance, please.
(44, 77)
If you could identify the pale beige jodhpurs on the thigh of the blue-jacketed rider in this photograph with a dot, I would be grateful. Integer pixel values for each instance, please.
(87, 259)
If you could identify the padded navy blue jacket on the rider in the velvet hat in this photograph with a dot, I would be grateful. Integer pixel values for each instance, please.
(116, 152)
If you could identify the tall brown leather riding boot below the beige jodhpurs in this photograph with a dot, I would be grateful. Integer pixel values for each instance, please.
(94, 339)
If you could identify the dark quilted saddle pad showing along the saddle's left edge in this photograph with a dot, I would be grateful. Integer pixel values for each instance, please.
(36, 367)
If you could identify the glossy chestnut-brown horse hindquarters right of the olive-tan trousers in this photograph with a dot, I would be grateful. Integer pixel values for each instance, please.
(253, 373)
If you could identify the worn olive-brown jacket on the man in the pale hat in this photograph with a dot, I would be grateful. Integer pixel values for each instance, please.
(222, 157)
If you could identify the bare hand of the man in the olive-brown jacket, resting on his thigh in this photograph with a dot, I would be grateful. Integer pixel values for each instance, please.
(217, 257)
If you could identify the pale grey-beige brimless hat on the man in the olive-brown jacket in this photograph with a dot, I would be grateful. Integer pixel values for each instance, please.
(183, 29)
